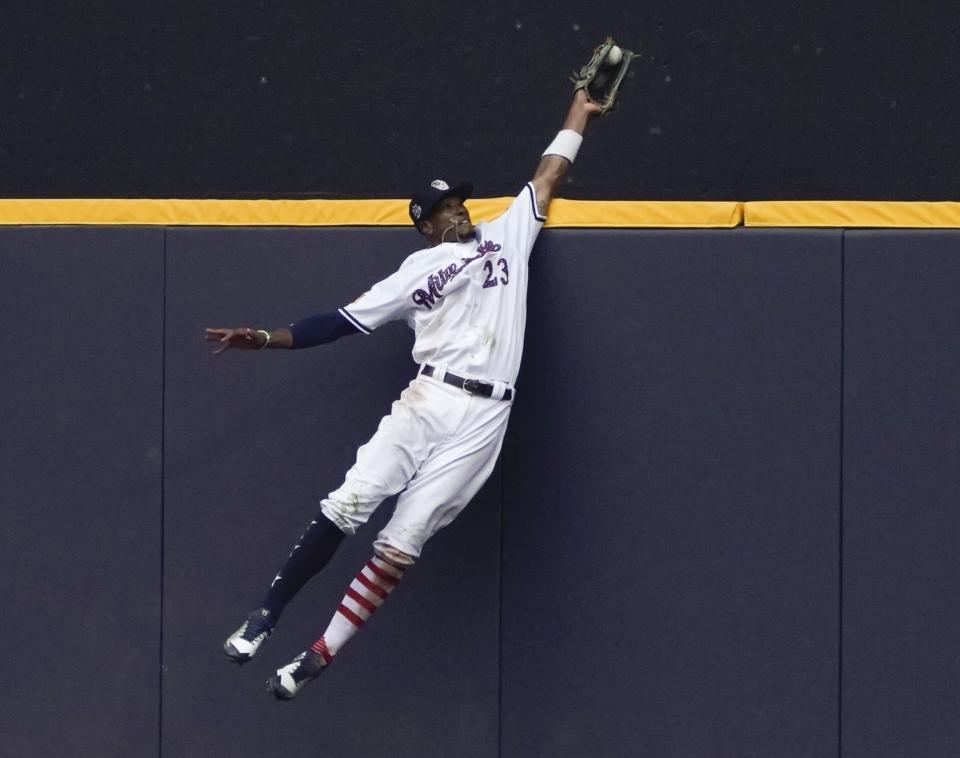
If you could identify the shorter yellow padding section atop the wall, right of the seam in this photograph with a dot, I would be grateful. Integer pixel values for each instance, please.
(852, 213)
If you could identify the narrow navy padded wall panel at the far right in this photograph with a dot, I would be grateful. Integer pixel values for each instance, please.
(901, 651)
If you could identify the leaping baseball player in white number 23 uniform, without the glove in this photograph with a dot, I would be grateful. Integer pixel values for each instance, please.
(464, 295)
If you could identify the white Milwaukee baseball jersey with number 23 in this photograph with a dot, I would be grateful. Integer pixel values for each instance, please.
(466, 301)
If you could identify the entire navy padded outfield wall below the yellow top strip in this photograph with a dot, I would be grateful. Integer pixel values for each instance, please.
(723, 523)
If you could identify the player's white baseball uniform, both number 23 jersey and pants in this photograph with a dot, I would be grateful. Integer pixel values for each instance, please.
(466, 302)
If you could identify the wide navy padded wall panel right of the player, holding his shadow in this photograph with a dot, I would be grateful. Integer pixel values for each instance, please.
(671, 498)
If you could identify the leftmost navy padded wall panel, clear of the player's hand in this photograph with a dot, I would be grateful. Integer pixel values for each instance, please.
(80, 466)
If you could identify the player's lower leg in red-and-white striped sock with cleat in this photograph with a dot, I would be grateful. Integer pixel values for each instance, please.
(369, 588)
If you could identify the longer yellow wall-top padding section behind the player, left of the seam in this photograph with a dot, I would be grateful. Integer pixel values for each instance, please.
(563, 213)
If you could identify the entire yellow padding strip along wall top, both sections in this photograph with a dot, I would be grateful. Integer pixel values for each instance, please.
(563, 213)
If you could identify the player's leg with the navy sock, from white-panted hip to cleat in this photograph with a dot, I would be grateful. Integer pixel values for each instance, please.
(384, 466)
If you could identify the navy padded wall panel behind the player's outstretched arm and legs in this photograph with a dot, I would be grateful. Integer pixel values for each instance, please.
(254, 440)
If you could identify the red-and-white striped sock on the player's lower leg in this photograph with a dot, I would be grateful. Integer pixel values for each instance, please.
(369, 588)
